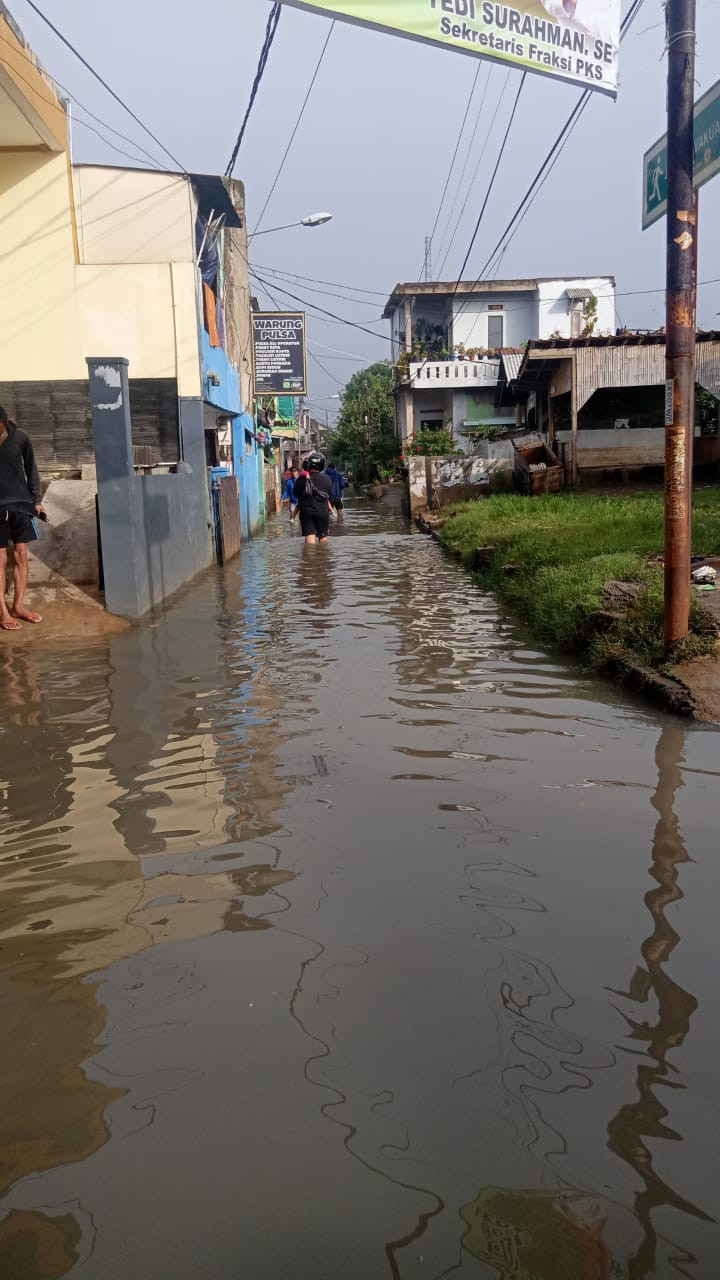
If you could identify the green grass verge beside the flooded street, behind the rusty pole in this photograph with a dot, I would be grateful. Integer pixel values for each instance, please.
(553, 556)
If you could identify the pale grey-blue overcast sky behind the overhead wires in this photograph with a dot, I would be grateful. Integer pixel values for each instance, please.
(375, 148)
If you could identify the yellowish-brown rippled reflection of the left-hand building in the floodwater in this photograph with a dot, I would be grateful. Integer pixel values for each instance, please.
(157, 764)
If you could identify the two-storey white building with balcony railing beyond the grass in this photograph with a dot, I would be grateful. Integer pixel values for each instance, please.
(448, 337)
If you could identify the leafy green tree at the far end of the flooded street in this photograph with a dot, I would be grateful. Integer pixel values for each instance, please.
(364, 438)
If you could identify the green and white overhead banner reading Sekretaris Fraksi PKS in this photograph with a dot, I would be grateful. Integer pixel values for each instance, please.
(571, 40)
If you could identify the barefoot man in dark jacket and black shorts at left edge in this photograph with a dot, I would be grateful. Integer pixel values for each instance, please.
(21, 500)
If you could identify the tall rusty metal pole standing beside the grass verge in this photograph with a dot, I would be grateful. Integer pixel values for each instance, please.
(681, 318)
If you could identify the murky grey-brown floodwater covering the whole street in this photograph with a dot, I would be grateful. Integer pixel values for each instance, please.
(345, 935)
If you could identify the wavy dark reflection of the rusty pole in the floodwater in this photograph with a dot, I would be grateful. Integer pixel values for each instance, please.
(645, 1118)
